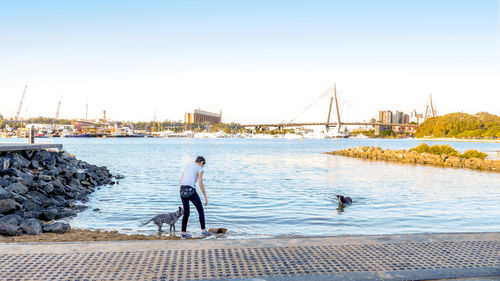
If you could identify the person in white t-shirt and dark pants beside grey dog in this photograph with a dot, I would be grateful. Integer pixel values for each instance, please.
(193, 173)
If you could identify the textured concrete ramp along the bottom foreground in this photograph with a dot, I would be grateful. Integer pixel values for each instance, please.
(378, 257)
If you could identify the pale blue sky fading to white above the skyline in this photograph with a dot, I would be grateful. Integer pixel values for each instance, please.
(256, 61)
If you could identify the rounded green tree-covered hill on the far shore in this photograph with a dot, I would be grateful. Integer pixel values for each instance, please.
(461, 125)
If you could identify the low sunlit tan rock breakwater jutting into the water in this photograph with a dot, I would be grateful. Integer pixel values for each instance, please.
(414, 157)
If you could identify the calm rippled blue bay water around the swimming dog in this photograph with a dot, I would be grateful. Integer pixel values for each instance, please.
(278, 187)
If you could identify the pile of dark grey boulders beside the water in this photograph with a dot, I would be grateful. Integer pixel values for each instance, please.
(37, 188)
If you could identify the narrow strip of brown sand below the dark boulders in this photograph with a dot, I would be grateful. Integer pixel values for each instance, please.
(81, 235)
